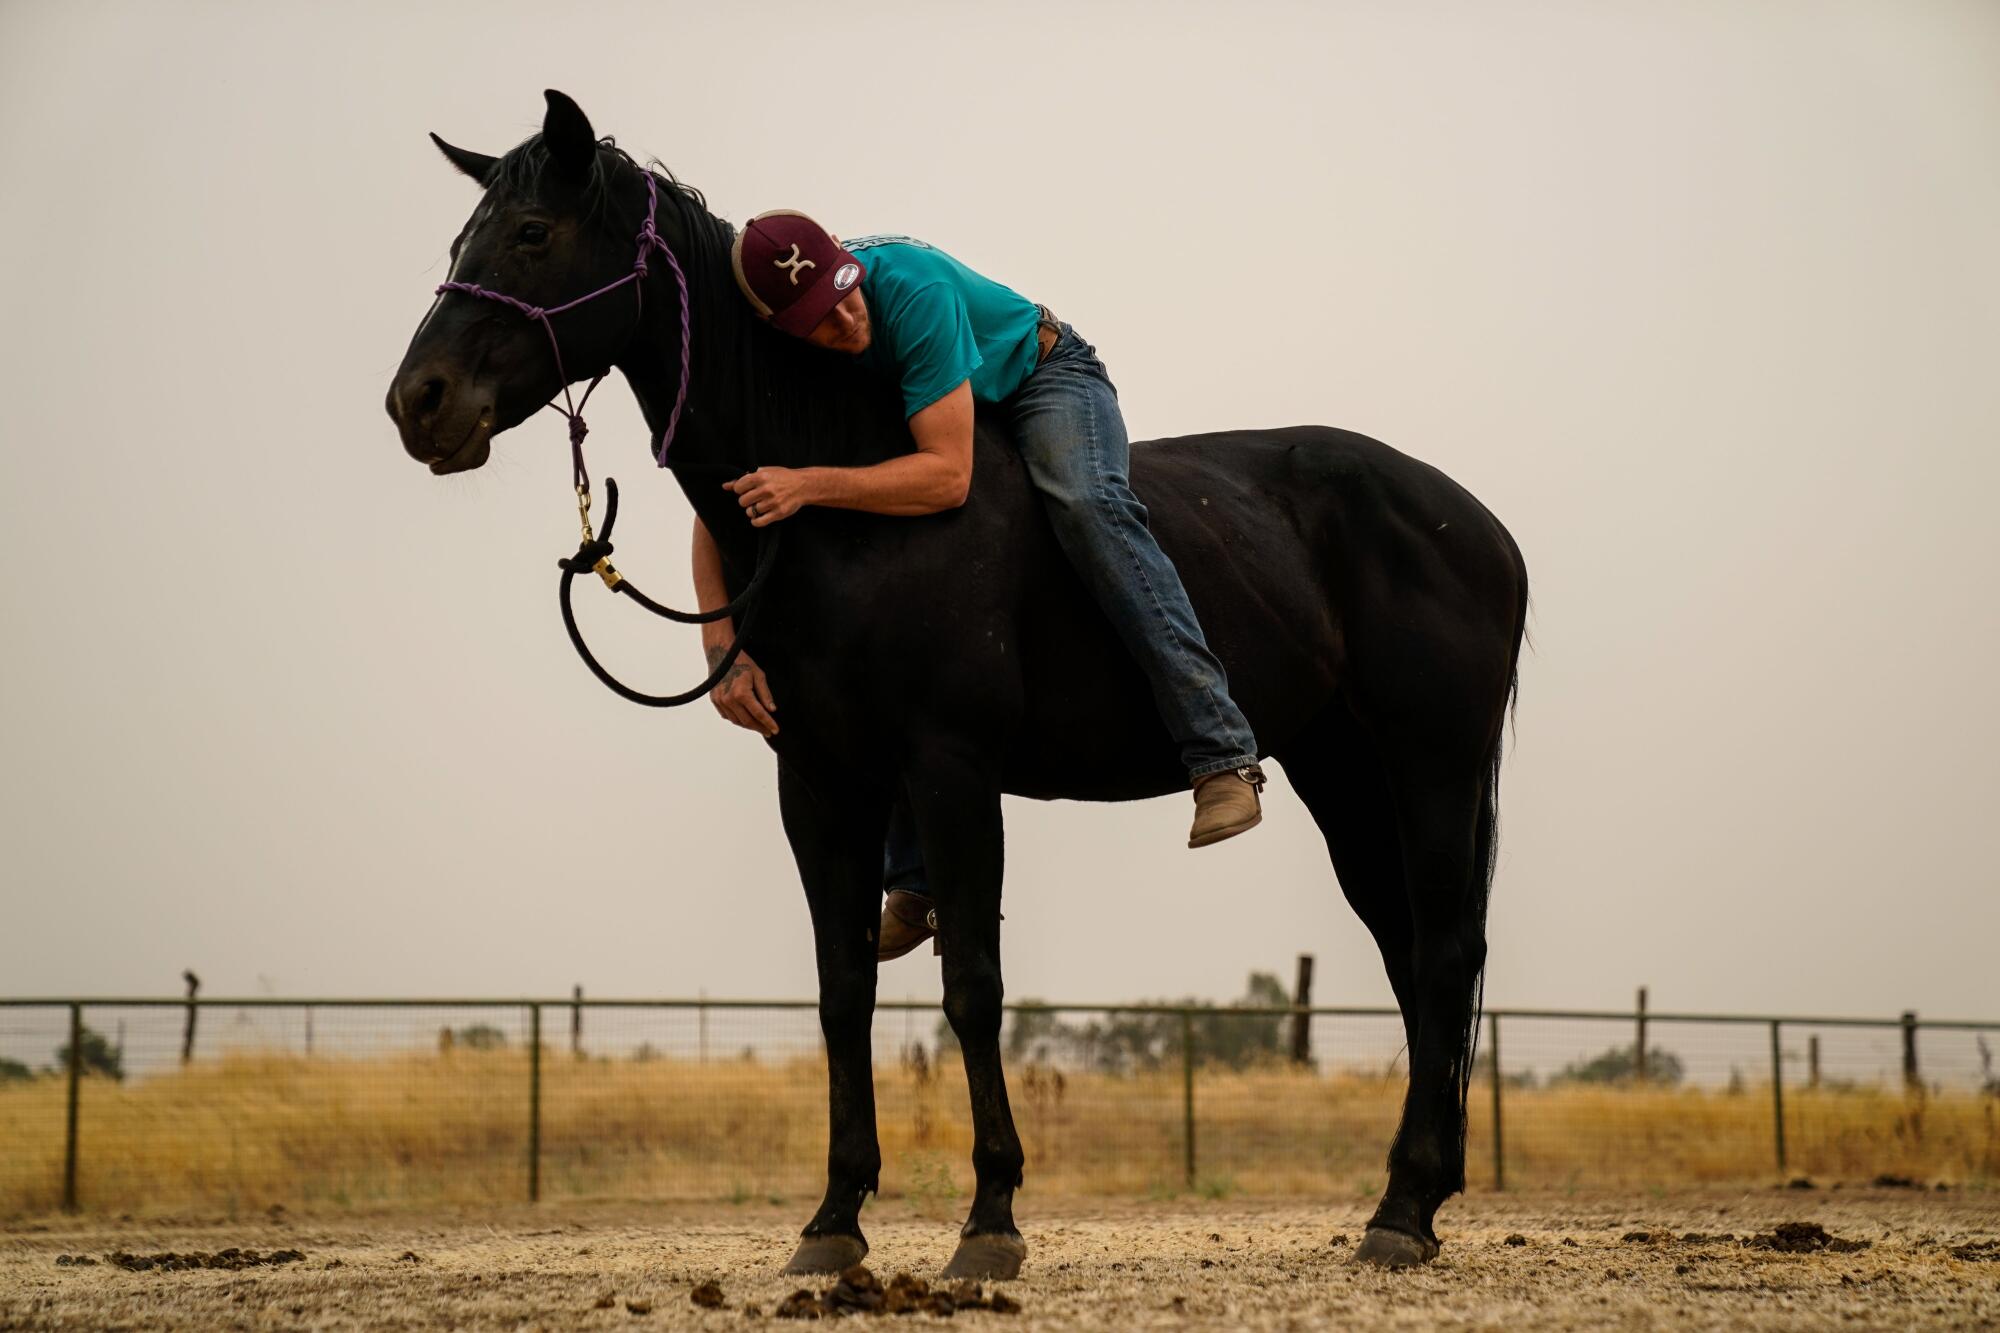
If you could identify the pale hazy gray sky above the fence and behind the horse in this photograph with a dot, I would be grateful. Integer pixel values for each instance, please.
(1701, 299)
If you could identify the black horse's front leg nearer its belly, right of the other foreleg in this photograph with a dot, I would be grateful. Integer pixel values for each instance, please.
(957, 808)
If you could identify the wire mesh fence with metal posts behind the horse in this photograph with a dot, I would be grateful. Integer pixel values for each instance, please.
(245, 1104)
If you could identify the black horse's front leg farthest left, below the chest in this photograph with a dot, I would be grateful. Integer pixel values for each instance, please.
(837, 832)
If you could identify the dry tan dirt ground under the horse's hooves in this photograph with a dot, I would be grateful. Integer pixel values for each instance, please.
(1515, 1262)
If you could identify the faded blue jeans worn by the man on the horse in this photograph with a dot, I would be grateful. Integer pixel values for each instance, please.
(1073, 439)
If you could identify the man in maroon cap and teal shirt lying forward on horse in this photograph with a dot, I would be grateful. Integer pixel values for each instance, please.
(951, 337)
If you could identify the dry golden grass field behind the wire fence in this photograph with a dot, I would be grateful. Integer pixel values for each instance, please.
(247, 1132)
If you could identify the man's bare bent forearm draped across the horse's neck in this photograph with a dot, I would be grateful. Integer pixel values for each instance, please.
(937, 477)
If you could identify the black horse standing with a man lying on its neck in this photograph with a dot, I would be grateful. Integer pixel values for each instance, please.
(1367, 607)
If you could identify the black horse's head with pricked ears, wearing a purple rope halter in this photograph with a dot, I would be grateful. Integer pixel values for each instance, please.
(545, 233)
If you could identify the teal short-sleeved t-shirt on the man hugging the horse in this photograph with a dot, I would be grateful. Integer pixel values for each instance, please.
(939, 325)
